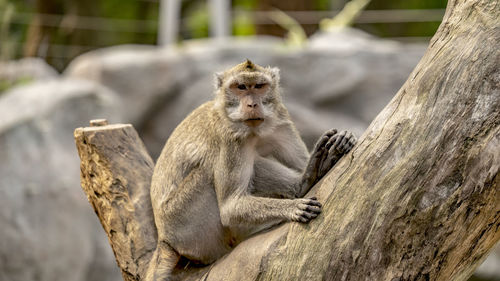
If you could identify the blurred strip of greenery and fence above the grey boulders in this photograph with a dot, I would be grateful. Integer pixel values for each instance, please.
(59, 30)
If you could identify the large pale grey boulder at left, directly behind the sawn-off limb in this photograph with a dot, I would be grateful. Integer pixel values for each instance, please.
(48, 230)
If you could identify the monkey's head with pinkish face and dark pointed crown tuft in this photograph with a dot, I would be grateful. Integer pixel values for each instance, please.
(249, 95)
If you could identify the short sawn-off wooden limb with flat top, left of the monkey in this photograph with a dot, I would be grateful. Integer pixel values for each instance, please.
(116, 172)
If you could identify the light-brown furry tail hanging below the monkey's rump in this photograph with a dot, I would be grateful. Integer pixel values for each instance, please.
(162, 263)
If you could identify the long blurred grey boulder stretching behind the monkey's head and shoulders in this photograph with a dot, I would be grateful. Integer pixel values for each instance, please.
(339, 80)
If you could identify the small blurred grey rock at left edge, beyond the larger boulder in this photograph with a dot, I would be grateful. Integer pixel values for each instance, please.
(24, 71)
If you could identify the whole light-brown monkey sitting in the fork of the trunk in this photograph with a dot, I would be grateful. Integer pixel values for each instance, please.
(235, 166)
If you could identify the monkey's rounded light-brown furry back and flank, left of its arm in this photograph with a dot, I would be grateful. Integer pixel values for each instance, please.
(182, 190)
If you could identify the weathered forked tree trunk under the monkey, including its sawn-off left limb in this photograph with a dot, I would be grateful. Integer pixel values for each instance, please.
(416, 199)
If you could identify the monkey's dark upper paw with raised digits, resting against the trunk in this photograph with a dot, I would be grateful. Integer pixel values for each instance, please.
(327, 151)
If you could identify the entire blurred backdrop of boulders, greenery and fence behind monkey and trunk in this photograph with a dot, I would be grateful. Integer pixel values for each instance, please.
(149, 63)
